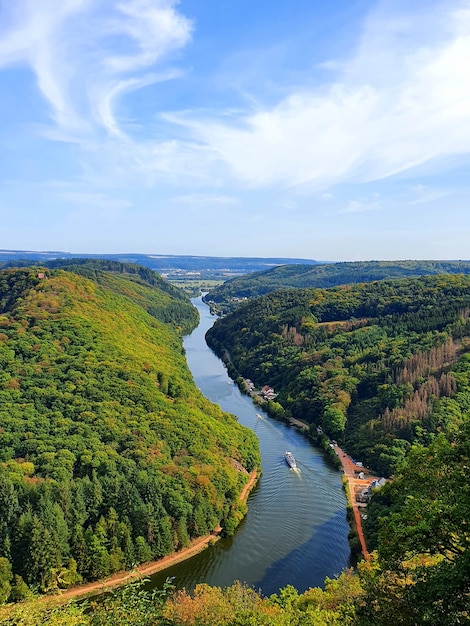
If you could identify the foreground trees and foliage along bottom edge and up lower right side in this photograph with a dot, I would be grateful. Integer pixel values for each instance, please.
(418, 576)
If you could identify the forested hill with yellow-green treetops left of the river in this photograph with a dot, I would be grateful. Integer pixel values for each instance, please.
(109, 455)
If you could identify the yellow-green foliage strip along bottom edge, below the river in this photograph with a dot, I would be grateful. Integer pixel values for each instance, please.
(236, 605)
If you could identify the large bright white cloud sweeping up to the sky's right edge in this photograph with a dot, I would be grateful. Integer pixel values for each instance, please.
(402, 100)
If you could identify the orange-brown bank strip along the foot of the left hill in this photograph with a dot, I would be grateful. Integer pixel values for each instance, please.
(152, 567)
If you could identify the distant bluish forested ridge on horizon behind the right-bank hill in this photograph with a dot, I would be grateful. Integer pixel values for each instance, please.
(228, 295)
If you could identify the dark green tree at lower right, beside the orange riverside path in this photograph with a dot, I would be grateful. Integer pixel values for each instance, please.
(433, 492)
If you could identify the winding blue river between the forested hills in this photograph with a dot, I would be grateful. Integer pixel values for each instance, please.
(295, 531)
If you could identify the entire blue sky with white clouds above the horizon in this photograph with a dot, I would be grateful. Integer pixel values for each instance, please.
(324, 130)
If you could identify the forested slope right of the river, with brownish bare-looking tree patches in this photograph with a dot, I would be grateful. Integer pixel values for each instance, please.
(364, 362)
